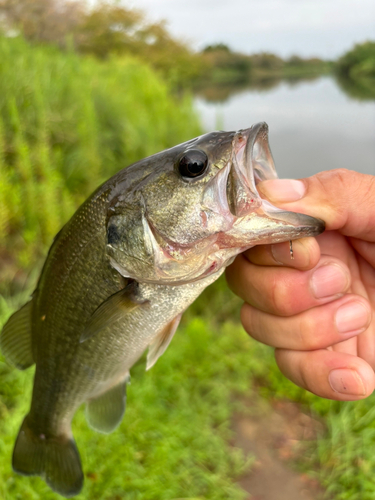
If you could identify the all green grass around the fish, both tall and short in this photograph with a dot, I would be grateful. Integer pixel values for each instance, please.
(66, 124)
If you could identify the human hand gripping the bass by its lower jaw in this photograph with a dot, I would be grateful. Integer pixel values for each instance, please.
(316, 310)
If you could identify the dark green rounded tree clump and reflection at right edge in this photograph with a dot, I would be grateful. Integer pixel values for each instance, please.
(355, 71)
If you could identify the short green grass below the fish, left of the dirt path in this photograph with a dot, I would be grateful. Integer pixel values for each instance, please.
(174, 440)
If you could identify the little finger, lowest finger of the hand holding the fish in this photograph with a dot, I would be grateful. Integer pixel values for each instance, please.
(328, 374)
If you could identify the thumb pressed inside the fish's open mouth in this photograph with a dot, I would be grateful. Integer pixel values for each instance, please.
(344, 199)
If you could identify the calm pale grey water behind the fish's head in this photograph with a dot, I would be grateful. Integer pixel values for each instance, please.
(313, 125)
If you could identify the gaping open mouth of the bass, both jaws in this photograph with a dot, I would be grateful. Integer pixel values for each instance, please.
(253, 219)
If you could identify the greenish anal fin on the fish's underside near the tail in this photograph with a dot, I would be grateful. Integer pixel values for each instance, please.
(105, 412)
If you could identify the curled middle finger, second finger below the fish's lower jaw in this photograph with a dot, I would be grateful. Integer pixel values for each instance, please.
(285, 291)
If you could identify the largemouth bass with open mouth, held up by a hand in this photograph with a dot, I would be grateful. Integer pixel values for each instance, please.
(119, 275)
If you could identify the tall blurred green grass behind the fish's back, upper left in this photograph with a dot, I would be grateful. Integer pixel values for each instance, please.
(66, 124)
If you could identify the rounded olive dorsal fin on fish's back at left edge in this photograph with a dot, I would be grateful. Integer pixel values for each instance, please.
(15, 338)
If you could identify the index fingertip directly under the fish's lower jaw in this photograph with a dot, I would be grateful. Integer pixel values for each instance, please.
(306, 254)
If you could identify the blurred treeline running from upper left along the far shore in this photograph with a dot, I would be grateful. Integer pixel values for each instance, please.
(106, 29)
